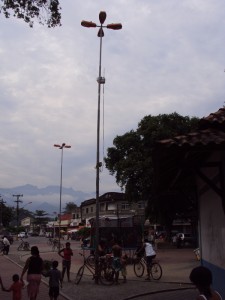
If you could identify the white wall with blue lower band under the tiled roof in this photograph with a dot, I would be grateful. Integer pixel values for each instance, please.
(212, 227)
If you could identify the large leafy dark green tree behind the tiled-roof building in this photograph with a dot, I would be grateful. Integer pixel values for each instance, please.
(130, 160)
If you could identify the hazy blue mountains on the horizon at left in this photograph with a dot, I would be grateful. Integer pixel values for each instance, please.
(46, 198)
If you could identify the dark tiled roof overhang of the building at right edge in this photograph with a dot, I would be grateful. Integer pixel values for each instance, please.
(175, 158)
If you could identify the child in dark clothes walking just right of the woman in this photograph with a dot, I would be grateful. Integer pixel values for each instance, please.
(55, 279)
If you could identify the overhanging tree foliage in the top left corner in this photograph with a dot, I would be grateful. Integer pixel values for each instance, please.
(45, 11)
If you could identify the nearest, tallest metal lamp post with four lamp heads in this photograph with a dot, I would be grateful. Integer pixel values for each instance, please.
(100, 80)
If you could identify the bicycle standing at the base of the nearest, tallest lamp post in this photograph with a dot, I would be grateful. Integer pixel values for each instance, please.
(105, 272)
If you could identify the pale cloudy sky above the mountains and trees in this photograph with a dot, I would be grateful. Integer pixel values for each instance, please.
(168, 57)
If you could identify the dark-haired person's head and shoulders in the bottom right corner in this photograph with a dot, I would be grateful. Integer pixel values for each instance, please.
(201, 277)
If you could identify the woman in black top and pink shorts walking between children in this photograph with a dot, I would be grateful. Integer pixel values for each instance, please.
(33, 267)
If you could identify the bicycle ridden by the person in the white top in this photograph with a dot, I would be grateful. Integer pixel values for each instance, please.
(155, 269)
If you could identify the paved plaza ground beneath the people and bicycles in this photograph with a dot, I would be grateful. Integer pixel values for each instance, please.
(174, 284)
